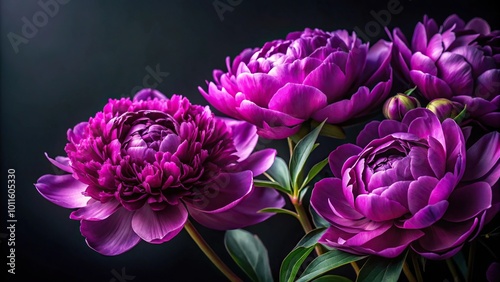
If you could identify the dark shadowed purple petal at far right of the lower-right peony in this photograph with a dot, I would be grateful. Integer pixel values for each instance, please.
(468, 201)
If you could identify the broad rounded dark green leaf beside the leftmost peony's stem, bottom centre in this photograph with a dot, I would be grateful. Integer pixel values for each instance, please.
(249, 253)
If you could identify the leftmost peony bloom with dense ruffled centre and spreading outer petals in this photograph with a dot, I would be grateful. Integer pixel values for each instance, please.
(140, 166)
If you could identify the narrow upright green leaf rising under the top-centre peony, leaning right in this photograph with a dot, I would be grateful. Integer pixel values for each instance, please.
(301, 153)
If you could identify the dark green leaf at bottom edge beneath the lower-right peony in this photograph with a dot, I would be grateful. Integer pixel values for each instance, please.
(382, 269)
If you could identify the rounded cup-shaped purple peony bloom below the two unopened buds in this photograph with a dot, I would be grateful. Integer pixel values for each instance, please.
(410, 183)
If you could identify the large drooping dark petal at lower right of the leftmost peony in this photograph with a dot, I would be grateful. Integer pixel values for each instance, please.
(244, 214)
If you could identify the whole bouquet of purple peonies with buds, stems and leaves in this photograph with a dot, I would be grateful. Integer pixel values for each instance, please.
(419, 185)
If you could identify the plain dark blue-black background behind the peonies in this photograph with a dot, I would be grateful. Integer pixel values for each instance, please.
(90, 51)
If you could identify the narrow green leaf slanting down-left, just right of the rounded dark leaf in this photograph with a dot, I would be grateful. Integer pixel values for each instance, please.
(291, 264)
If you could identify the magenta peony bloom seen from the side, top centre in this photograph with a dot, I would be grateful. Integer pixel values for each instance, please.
(311, 74)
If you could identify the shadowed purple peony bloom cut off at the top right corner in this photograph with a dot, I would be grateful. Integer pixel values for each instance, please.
(457, 61)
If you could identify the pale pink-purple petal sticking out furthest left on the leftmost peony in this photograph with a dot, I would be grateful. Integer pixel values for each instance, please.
(62, 190)
